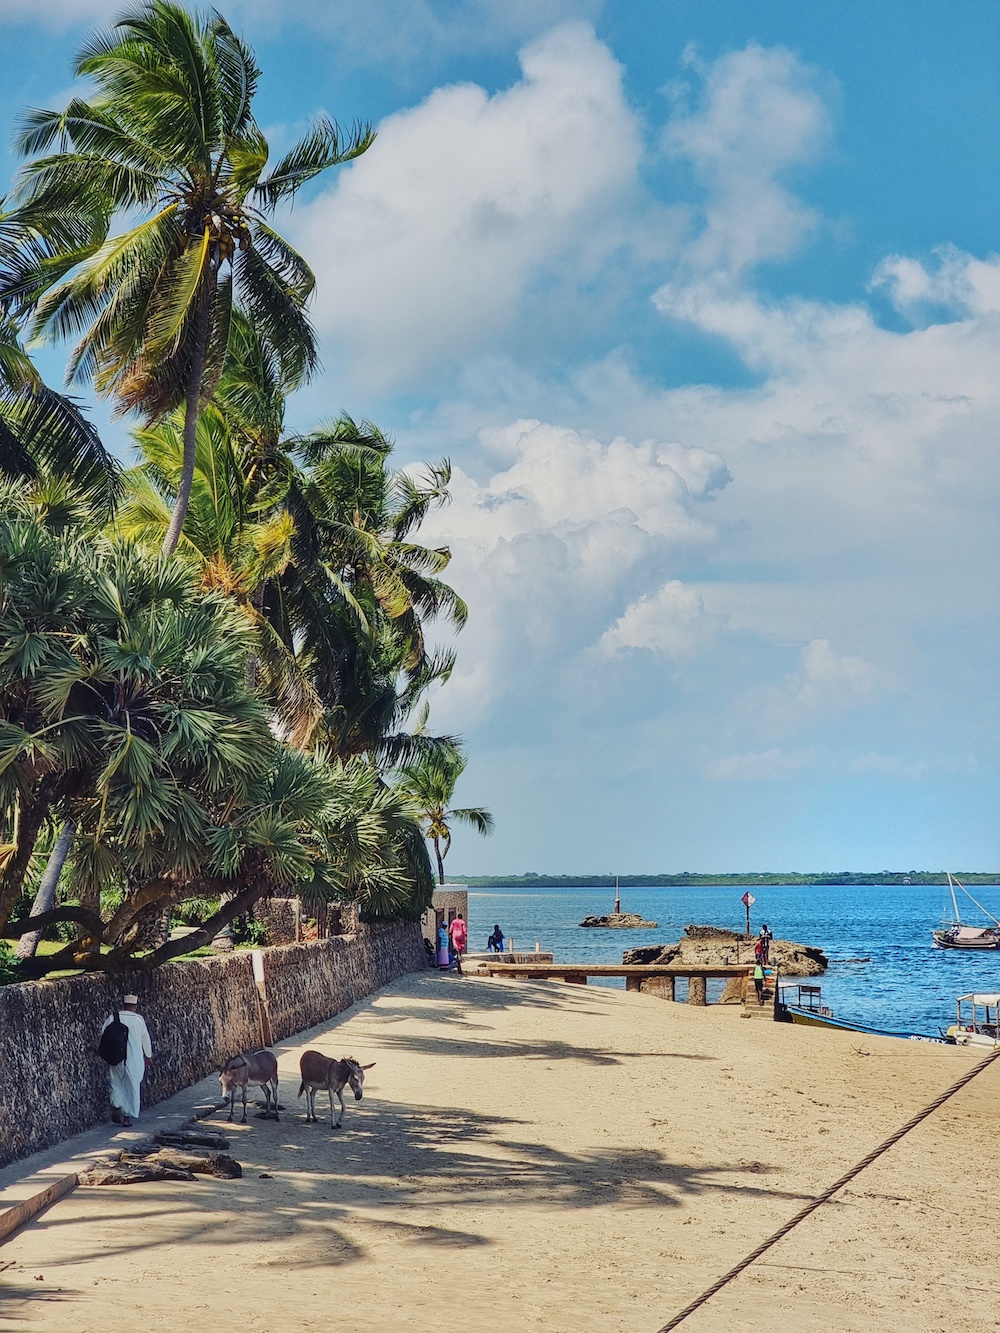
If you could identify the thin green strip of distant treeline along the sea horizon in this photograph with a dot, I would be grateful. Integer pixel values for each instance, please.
(657, 882)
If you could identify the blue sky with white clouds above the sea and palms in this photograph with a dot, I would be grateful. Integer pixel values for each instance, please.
(703, 303)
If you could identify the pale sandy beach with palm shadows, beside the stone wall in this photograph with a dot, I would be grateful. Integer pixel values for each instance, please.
(555, 1158)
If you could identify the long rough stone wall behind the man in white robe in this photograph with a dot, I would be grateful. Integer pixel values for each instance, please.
(199, 1014)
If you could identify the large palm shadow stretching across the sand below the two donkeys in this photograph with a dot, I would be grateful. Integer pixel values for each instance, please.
(333, 1194)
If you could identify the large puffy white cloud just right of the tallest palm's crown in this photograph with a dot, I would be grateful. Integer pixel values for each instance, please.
(426, 246)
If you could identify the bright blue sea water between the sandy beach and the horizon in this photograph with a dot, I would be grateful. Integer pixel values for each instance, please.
(906, 986)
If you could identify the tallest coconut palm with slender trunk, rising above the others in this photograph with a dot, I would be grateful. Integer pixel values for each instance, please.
(170, 134)
